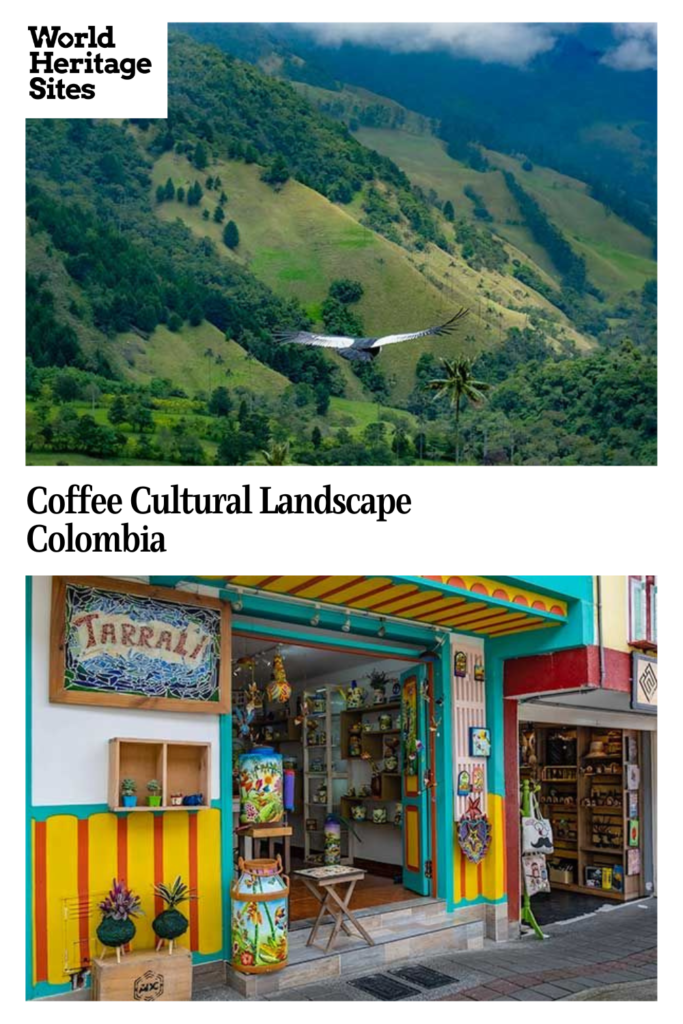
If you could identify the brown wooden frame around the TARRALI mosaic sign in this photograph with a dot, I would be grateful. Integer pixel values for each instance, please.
(61, 695)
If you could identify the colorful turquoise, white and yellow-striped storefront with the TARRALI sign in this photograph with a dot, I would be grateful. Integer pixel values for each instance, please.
(445, 642)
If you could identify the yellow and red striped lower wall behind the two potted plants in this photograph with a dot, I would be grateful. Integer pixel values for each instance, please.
(74, 861)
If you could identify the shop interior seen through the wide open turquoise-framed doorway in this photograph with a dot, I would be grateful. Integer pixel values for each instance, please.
(335, 718)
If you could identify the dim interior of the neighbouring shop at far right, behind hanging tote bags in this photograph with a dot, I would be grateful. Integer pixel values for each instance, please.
(589, 787)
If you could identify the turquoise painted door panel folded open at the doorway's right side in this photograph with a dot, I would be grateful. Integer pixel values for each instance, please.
(416, 803)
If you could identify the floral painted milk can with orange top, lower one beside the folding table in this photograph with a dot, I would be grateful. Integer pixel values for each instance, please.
(260, 898)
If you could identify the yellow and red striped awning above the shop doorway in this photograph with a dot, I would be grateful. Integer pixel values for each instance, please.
(473, 605)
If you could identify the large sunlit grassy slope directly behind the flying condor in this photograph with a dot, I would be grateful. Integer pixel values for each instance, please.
(298, 242)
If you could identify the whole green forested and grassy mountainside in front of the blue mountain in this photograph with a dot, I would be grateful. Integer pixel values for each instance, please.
(163, 255)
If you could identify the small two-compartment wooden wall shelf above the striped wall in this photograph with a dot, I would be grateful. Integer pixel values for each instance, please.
(181, 767)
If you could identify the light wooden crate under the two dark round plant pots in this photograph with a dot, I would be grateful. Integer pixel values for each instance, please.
(144, 977)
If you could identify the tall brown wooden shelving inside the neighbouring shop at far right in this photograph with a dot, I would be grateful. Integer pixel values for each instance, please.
(580, 787)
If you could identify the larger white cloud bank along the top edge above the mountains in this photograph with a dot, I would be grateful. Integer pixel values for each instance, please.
(511, 45)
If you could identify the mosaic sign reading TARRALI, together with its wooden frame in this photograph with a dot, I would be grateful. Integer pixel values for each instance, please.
(127, 645)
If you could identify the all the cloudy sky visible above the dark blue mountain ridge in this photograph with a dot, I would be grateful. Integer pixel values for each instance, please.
(634, 45)
